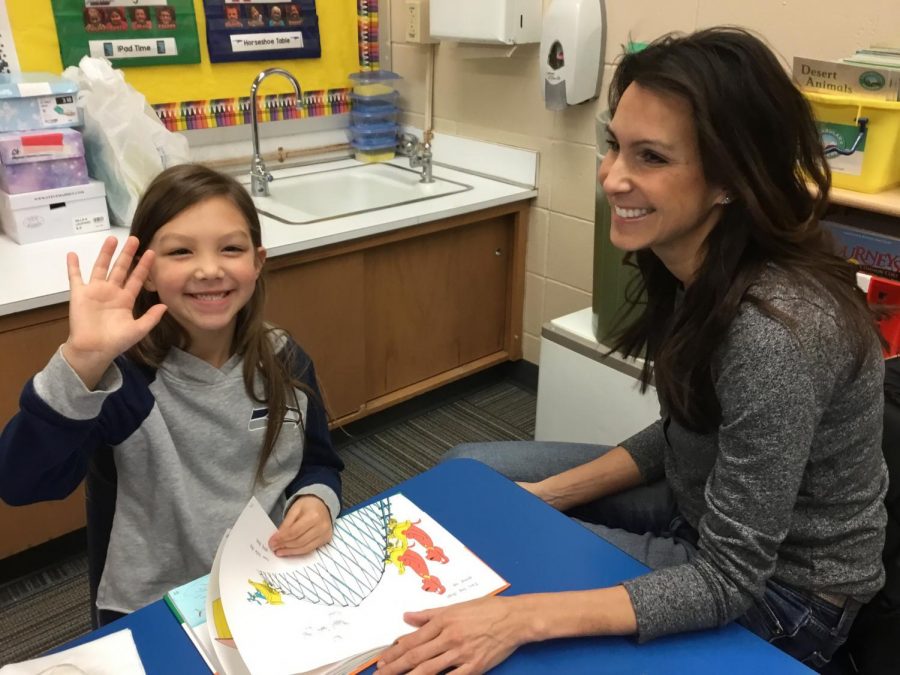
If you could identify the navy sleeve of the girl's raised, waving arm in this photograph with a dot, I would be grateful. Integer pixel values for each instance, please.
(44, 454)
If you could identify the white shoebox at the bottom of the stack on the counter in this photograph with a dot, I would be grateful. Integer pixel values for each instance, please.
(35, 216)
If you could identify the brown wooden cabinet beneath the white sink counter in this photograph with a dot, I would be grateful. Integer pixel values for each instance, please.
(385, 318)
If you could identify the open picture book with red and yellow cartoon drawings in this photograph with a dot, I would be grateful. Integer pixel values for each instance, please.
(333, 610)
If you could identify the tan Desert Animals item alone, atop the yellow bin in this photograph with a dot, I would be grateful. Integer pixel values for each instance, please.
(830, 77)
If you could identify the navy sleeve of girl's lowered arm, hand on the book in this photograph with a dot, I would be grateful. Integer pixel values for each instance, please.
(321, 464)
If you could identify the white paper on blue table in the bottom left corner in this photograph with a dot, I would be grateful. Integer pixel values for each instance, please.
(113, 654)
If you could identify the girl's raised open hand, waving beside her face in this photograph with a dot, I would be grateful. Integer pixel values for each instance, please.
(101, 323)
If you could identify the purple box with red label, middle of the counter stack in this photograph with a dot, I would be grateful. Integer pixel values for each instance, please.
(41, 160)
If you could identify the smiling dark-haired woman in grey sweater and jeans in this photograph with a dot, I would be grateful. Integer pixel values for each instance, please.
(757, 497)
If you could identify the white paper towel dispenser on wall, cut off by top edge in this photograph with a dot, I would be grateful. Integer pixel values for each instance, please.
(508, 22)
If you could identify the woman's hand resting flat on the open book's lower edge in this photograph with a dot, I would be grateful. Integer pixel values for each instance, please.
(471, 637)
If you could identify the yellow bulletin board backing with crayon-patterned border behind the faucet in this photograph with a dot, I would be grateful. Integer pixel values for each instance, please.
(209, 94)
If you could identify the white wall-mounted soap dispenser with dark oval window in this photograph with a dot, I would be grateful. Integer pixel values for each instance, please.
(572, 47)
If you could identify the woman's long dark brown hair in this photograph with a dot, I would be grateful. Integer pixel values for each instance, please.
(758, 140)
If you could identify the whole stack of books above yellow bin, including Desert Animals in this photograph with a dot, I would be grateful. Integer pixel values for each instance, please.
(868, 73)
